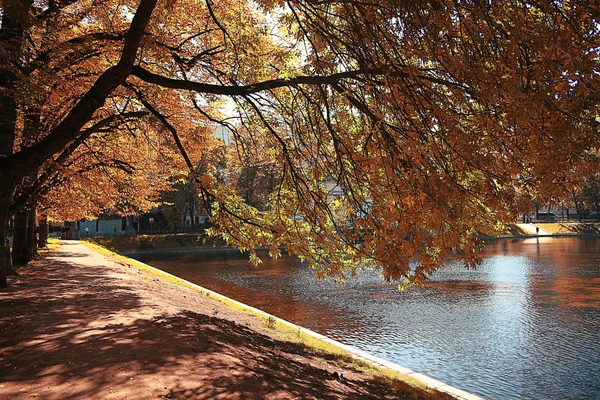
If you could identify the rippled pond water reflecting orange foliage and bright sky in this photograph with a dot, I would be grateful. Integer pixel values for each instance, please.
(525, 324)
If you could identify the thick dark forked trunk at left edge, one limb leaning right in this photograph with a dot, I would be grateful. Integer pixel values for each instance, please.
(14, 167)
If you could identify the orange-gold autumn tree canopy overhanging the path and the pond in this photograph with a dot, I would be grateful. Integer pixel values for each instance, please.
(435, 119)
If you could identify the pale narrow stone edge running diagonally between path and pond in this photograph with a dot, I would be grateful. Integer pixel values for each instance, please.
(358, 354)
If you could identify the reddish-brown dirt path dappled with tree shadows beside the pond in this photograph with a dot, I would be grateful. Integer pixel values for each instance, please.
(75, 325)
